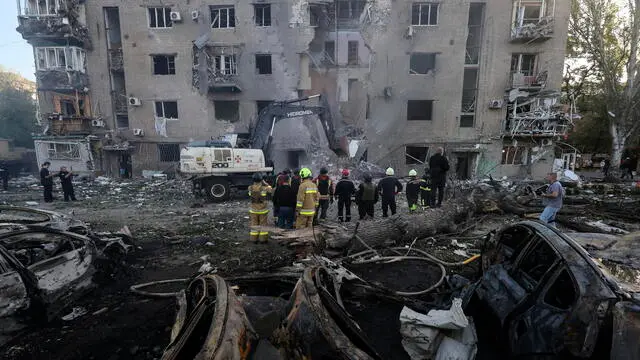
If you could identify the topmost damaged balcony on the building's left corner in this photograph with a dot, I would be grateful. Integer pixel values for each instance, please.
(53, 27)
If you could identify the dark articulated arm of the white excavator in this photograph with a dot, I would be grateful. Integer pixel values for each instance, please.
(262, 133)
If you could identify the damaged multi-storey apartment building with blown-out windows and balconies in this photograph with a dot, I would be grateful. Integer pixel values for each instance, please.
(131, 82)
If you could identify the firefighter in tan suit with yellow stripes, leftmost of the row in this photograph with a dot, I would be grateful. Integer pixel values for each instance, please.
(258, 212)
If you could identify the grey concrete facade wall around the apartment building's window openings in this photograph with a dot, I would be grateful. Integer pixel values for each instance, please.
(365, 75)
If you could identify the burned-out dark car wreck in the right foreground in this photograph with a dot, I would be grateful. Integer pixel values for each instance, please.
(542, 295)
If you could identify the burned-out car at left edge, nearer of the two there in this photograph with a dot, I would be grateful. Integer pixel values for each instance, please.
(42, 270)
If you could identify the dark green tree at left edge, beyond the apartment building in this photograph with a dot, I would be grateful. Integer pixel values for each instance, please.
(17, 109)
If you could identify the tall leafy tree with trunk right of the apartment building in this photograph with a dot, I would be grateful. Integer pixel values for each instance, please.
(606, 36)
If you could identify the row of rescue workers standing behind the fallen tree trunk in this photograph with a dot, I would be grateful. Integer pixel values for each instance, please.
(300, 200)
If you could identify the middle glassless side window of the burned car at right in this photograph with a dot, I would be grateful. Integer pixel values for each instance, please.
(535, 264)
